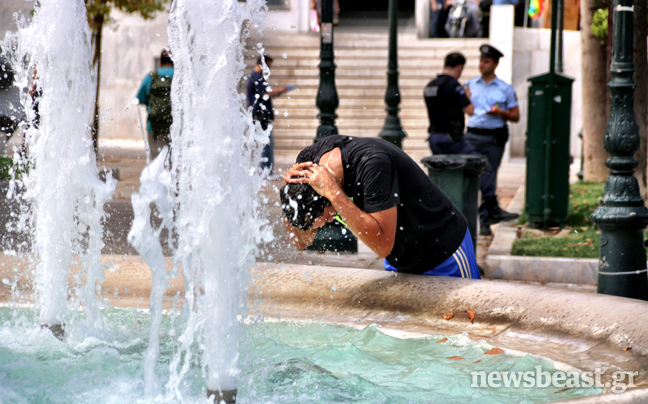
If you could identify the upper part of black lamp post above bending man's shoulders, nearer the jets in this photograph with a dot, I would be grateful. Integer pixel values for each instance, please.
(327, 98)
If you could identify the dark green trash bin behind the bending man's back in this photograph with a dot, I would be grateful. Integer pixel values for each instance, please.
(458, 176)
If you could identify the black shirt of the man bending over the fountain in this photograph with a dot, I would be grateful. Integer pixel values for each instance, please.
(378, 176)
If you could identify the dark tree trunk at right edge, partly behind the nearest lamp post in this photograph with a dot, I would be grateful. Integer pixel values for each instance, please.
(641, 92)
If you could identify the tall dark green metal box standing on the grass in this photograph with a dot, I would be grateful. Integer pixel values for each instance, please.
(547, 151)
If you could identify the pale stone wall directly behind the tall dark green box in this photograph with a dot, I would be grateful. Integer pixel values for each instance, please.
(531, 57)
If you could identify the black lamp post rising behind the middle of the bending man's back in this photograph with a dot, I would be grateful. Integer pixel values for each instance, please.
(392, 130)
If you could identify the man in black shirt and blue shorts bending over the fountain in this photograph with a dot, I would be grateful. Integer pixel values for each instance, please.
(385, 199)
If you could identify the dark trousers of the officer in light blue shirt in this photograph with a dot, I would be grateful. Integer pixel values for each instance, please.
(485, 145)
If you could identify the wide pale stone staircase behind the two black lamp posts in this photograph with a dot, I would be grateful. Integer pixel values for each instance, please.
(361, 60)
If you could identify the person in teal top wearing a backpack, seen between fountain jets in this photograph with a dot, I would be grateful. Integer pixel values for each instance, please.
(155, 93)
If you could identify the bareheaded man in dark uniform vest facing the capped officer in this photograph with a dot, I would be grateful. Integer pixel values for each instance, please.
(447, 102)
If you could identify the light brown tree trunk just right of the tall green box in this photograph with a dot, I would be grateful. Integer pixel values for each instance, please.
(595, 97)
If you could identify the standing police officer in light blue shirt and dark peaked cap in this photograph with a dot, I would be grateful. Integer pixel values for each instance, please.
(495, 104)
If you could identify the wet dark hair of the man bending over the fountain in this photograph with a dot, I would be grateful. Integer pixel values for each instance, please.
(301, 205)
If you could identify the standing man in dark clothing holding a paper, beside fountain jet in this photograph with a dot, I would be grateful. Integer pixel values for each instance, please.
(259, 98)
